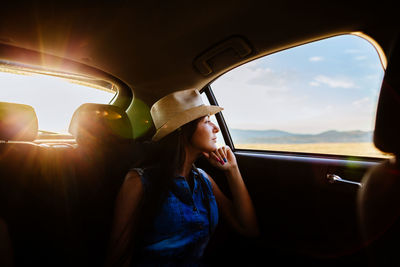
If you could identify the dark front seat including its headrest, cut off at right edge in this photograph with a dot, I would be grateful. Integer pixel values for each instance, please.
(379, 212)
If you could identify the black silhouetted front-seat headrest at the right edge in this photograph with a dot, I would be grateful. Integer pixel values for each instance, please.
(387, 124)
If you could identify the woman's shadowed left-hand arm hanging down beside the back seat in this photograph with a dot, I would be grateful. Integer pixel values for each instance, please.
(126, 209)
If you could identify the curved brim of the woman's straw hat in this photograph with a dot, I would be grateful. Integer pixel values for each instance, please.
(183, 118)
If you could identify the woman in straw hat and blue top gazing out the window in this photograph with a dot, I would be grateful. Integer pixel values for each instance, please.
(167, 212)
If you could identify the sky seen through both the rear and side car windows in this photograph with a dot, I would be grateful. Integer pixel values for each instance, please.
(332, 84)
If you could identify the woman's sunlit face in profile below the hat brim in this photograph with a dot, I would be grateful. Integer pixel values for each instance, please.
(204, 139)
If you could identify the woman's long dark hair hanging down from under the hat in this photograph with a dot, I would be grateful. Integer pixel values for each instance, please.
(162, 160)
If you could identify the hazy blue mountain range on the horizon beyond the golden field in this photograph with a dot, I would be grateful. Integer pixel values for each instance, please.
(282, 137)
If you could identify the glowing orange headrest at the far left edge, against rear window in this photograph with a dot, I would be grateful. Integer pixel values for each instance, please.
(18, 122)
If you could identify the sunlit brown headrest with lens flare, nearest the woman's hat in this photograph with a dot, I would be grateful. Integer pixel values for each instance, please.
(100, 124)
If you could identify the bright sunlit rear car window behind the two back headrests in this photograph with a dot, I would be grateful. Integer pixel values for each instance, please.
(54, 99)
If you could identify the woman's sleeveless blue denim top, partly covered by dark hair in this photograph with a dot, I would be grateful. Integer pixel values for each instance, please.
(183, 226)
